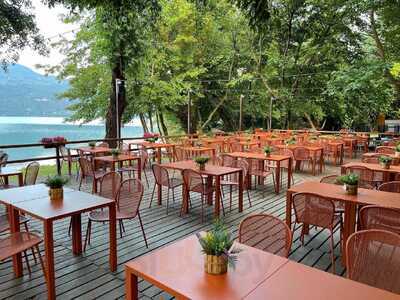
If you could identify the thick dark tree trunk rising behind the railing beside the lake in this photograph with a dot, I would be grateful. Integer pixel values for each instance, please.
(111, 117)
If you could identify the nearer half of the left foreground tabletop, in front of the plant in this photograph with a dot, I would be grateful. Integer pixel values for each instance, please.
(74, 202)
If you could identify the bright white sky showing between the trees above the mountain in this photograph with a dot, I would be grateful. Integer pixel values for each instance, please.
(49, 24)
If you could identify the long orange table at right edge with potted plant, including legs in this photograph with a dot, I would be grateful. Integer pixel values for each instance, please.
(337, 193)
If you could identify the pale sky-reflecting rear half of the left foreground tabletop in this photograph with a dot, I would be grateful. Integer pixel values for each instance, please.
(26, 193)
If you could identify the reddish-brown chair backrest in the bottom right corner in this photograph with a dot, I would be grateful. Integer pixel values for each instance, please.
(372, 257)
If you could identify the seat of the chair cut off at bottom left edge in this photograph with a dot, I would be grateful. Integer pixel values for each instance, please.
(17, 243)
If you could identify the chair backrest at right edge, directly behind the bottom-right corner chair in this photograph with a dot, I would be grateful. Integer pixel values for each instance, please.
(378, 217)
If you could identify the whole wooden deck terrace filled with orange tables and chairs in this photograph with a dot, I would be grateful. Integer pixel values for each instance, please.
(248, 215)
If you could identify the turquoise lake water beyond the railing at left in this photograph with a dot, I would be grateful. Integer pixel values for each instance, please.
(28, 130)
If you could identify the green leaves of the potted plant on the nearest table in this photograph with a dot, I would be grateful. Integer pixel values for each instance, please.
(218, 241)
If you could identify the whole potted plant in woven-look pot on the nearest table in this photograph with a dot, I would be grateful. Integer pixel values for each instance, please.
(217, 245)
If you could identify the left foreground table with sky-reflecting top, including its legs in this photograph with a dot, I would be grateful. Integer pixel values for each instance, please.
(41, 207)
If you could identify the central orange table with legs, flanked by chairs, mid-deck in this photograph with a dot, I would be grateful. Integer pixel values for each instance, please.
(210, 171)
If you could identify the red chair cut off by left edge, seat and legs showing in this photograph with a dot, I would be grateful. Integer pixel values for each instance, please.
(20, 242)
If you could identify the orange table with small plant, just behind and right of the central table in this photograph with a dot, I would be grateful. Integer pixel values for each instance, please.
(276, 158)
